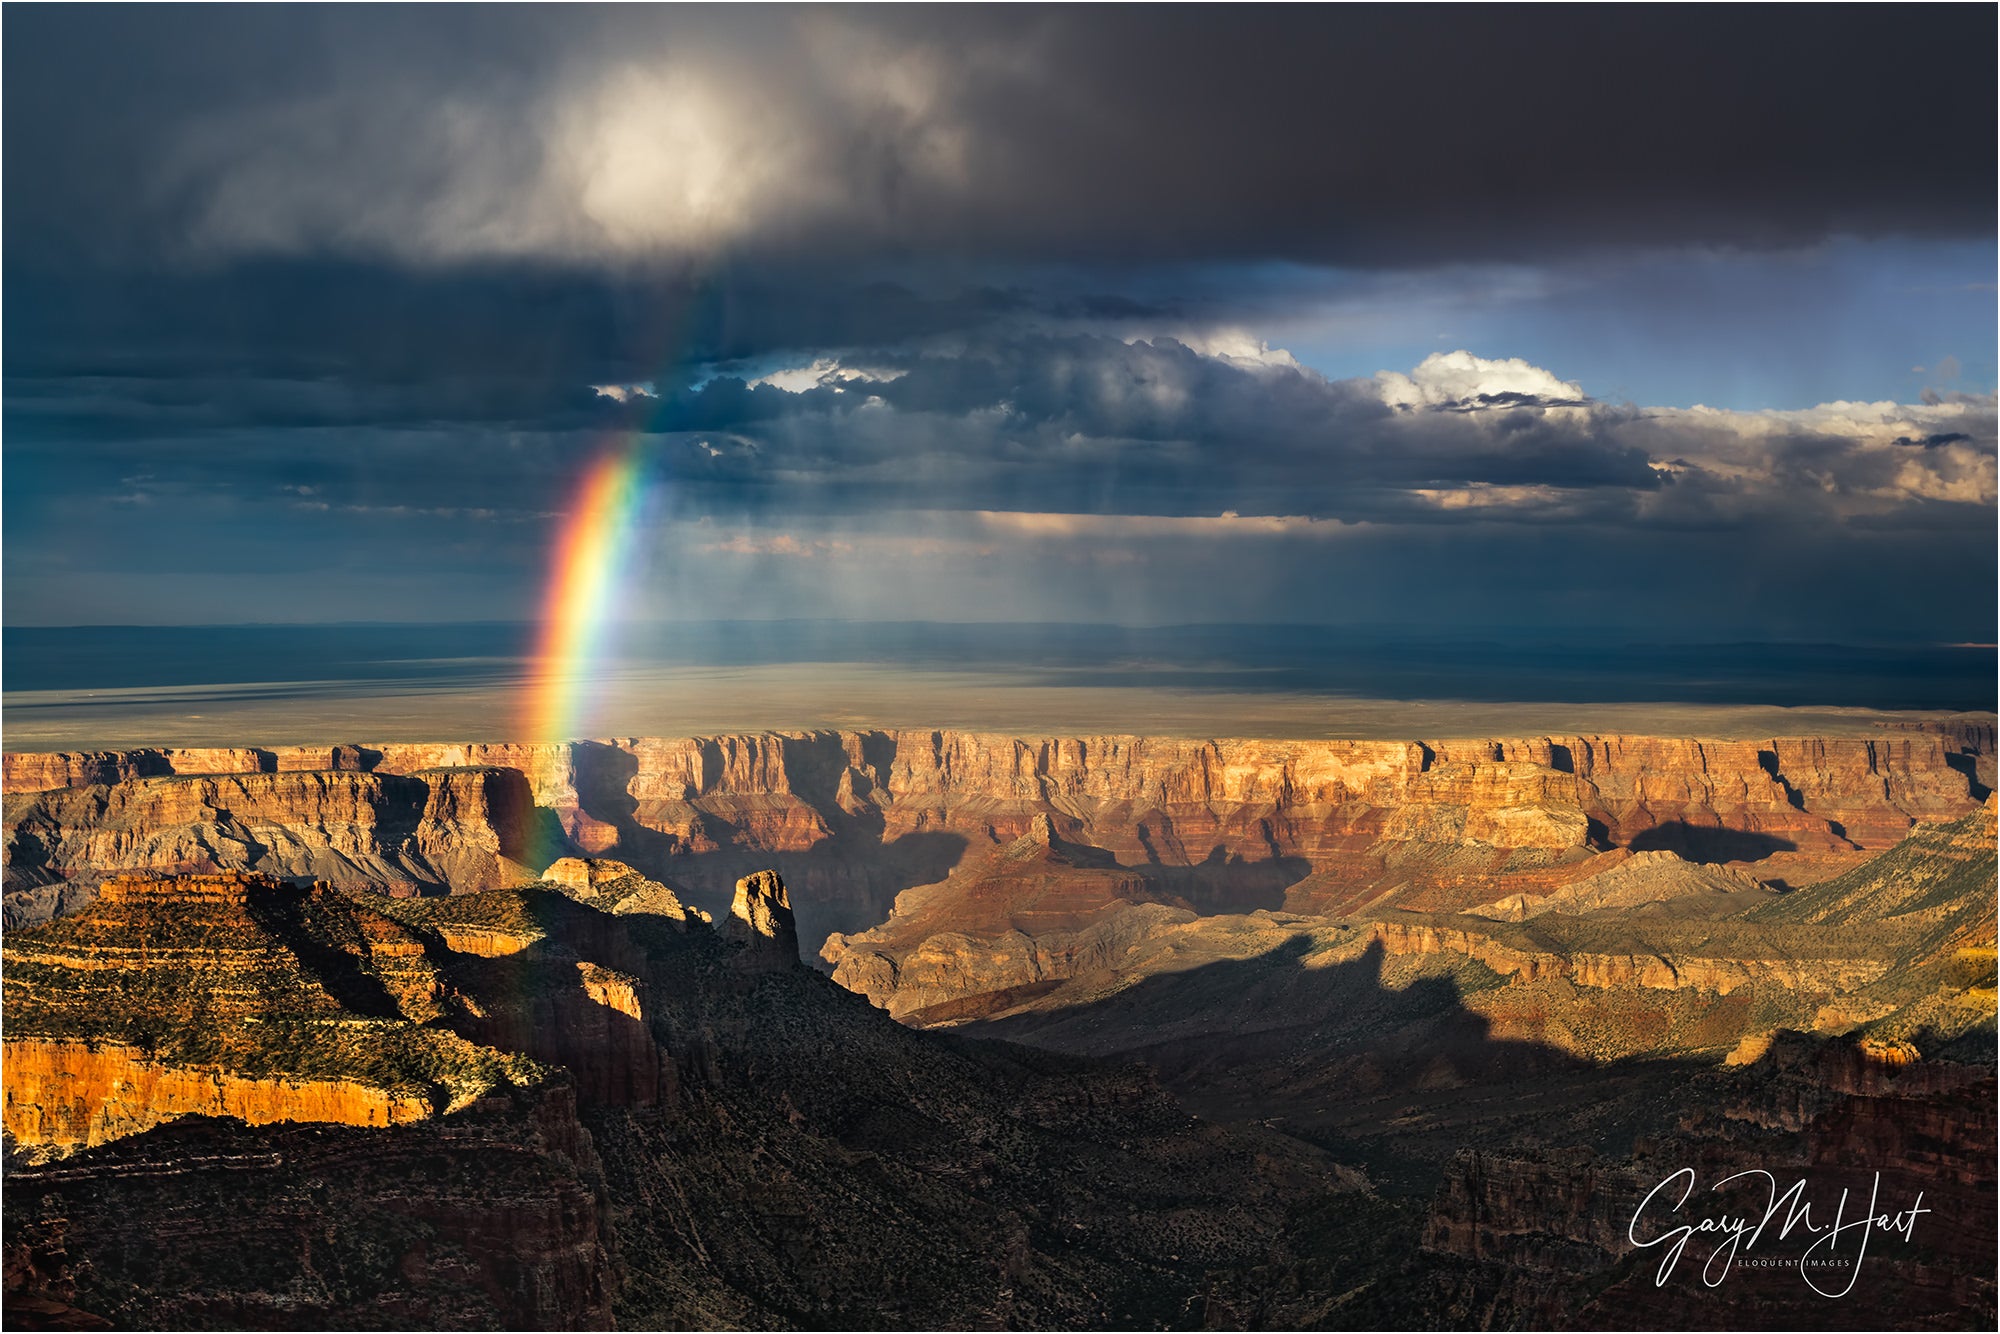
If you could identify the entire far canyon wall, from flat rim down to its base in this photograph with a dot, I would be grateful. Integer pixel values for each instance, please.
(853, 819)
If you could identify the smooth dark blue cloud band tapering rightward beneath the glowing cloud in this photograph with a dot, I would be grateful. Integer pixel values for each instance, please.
(389, 325)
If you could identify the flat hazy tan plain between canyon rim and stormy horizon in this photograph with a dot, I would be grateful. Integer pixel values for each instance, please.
(123, 689)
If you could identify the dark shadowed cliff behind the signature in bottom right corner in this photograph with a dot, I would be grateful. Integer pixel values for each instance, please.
(1545, 1239)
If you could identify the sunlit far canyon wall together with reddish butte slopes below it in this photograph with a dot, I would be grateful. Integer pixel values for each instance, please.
(951, 867)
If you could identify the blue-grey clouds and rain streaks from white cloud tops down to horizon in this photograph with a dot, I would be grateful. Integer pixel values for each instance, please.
(1089, 477)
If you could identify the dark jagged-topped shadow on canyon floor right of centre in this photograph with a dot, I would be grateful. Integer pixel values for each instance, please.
(1391, 1079)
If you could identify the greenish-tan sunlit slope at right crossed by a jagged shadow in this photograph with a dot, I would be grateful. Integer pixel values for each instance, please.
(1895, 949)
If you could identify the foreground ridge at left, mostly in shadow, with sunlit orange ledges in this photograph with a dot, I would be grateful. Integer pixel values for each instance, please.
(725, 1145)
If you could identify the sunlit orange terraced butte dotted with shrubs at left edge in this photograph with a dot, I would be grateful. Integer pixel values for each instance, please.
(229, 995)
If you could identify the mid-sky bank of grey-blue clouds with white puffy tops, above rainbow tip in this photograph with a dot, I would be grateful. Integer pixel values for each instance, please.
(1065, 425)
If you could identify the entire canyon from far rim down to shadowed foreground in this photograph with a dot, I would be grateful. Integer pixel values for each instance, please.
(1101, 1031)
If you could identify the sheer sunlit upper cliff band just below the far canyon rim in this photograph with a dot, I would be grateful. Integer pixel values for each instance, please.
(789, 787)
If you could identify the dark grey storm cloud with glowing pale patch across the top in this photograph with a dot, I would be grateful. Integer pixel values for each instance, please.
(1337, 135)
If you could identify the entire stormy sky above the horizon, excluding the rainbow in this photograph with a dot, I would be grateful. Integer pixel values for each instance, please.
(1537, 321)
